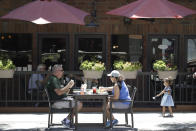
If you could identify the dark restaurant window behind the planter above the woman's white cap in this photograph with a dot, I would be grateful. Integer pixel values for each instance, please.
(126, 47)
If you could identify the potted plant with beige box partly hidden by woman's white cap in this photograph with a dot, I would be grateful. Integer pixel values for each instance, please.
(127, 69)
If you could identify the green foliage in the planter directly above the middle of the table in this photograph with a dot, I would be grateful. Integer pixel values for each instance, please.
(92, 65)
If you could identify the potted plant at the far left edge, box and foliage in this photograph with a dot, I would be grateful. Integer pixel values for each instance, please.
(6, 68)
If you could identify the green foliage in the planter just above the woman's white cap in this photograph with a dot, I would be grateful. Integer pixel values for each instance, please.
(127, 66)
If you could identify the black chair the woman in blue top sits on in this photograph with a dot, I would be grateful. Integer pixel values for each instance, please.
(132, 91)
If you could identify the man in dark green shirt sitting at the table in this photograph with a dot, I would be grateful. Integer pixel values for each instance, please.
(58, 92)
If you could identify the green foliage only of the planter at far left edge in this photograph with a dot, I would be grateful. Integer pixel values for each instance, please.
(6, 64)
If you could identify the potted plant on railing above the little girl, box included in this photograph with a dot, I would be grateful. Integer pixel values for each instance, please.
(165, 69)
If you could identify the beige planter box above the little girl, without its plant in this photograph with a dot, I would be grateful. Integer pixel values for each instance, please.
(166, 74)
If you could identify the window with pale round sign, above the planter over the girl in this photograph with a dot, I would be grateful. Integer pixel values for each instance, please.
(164, 48)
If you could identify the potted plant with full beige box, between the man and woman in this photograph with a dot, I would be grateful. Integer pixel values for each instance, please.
(92, 69)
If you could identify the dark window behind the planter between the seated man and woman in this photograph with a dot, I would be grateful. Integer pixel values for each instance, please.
(89, 47)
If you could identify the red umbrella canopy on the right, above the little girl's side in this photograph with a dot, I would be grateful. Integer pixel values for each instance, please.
(152, 9)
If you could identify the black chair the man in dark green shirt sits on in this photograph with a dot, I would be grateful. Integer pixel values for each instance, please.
(53, 110)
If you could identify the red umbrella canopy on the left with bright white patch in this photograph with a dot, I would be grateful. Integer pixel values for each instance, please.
(48, 11)
